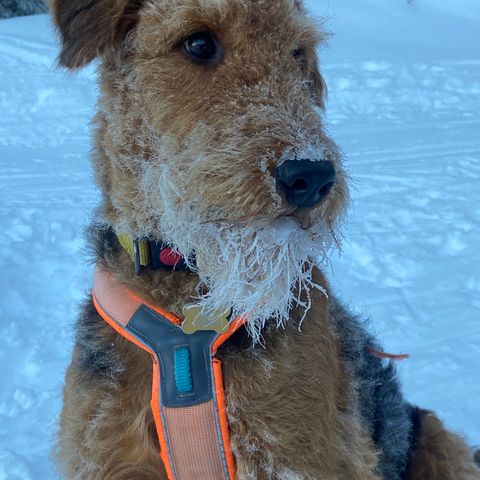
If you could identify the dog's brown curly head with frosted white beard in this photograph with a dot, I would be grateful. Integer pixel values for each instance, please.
(210, 137)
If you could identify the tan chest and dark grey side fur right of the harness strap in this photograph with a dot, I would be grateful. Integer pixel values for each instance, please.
(298, 404)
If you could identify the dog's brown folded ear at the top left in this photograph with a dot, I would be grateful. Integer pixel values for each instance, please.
(89, 27)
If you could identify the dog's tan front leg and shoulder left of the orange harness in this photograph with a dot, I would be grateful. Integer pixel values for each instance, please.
(107, 431)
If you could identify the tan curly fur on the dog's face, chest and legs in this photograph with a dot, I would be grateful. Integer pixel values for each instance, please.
(313, 432)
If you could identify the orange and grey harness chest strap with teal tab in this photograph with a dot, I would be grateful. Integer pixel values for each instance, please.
(188, 400)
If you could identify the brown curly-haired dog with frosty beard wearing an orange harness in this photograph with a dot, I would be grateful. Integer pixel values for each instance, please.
(222, 192)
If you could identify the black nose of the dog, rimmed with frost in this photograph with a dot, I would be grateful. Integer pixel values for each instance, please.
(305, 183)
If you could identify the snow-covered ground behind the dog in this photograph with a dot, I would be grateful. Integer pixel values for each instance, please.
(404, 104)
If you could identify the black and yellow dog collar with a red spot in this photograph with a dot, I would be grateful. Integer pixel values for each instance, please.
(153, 255)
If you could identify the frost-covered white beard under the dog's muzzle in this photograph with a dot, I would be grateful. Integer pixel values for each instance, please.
(260, 270)
